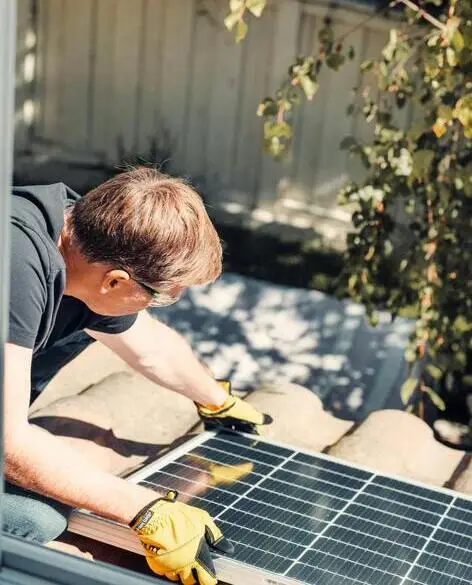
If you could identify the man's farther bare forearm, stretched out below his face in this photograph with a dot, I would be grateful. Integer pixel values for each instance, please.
(164, 356)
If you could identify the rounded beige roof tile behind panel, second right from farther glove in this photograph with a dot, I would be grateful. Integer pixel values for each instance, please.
(399, 443)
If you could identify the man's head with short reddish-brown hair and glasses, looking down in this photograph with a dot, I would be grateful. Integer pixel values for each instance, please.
(140, 231)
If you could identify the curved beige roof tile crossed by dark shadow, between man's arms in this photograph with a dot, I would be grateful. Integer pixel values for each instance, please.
(119, 422)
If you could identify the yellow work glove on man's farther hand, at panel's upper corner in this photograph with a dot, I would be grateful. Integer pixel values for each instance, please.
(234, 413)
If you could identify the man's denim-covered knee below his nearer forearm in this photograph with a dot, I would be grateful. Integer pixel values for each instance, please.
(38, 520)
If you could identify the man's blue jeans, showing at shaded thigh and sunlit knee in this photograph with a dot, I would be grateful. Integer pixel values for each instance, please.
(24, 513)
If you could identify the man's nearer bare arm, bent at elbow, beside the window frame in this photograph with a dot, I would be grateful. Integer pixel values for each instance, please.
(41, 462)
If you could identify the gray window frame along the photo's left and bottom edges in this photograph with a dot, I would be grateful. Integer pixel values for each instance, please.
(22, 562)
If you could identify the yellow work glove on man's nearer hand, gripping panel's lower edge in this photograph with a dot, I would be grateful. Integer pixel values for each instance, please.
(177, 539)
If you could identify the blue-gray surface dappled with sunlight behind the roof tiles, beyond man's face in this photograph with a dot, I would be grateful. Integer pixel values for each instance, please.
(258, 333)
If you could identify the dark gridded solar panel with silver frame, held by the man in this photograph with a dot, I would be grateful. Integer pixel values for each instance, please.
(297, 517)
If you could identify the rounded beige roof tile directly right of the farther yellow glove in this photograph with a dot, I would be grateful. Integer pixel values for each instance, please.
(299, 418)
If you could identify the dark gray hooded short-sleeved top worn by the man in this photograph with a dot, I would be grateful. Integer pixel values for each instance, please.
(40, 313)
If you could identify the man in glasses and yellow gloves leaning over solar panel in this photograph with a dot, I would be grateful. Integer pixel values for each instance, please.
(94, 264)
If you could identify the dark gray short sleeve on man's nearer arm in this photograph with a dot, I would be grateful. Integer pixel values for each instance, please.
(27, 291)
